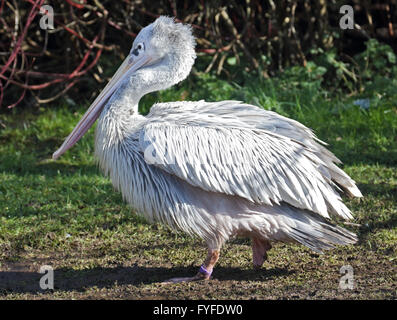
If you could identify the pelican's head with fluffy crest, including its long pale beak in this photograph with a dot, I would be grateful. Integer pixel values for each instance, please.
(161, 55)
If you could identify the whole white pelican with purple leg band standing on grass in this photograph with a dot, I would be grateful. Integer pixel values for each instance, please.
(215, 170)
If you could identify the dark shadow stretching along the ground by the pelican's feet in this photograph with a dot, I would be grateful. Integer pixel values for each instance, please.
(81, 280)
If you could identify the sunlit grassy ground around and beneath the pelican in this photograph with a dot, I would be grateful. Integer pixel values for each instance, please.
(67, 215)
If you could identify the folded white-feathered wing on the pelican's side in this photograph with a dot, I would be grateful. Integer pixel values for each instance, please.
(244, 152)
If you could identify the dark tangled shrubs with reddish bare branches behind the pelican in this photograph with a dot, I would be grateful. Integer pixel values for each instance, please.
(234, 38)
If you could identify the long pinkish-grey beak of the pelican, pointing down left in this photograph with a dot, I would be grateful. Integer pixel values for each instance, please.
(93, 112)
